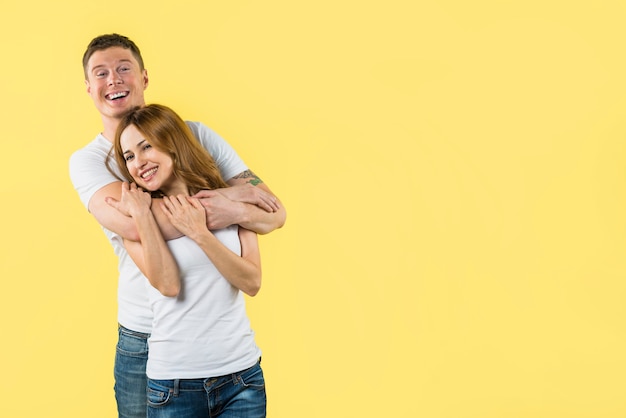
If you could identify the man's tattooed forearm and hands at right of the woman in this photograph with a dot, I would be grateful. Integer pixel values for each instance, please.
(248, 203)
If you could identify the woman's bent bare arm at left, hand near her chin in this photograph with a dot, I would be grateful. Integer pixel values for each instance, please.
(151, 254)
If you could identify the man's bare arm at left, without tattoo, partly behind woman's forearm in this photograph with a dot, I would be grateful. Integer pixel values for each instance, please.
(104, 205)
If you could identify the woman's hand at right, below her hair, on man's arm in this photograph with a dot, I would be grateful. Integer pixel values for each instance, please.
(186, 214)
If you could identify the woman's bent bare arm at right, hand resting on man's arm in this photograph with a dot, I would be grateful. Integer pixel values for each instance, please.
(243, 272)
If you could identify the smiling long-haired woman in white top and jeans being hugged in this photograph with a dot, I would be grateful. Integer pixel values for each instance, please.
(203, 359)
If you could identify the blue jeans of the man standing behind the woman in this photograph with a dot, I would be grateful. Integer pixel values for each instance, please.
(130, 373)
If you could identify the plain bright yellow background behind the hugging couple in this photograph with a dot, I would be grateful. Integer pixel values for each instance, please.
(454, 174)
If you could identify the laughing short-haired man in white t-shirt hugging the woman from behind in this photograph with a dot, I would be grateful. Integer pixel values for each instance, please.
(116, 79)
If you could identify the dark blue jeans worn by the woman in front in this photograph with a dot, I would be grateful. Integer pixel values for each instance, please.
(237, 395)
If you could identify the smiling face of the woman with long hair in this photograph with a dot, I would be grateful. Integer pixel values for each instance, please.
(150, 168)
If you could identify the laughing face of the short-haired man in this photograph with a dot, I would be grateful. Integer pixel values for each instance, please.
(115, 82)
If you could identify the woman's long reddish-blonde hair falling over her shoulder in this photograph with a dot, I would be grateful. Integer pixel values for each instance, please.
(167, 132)
